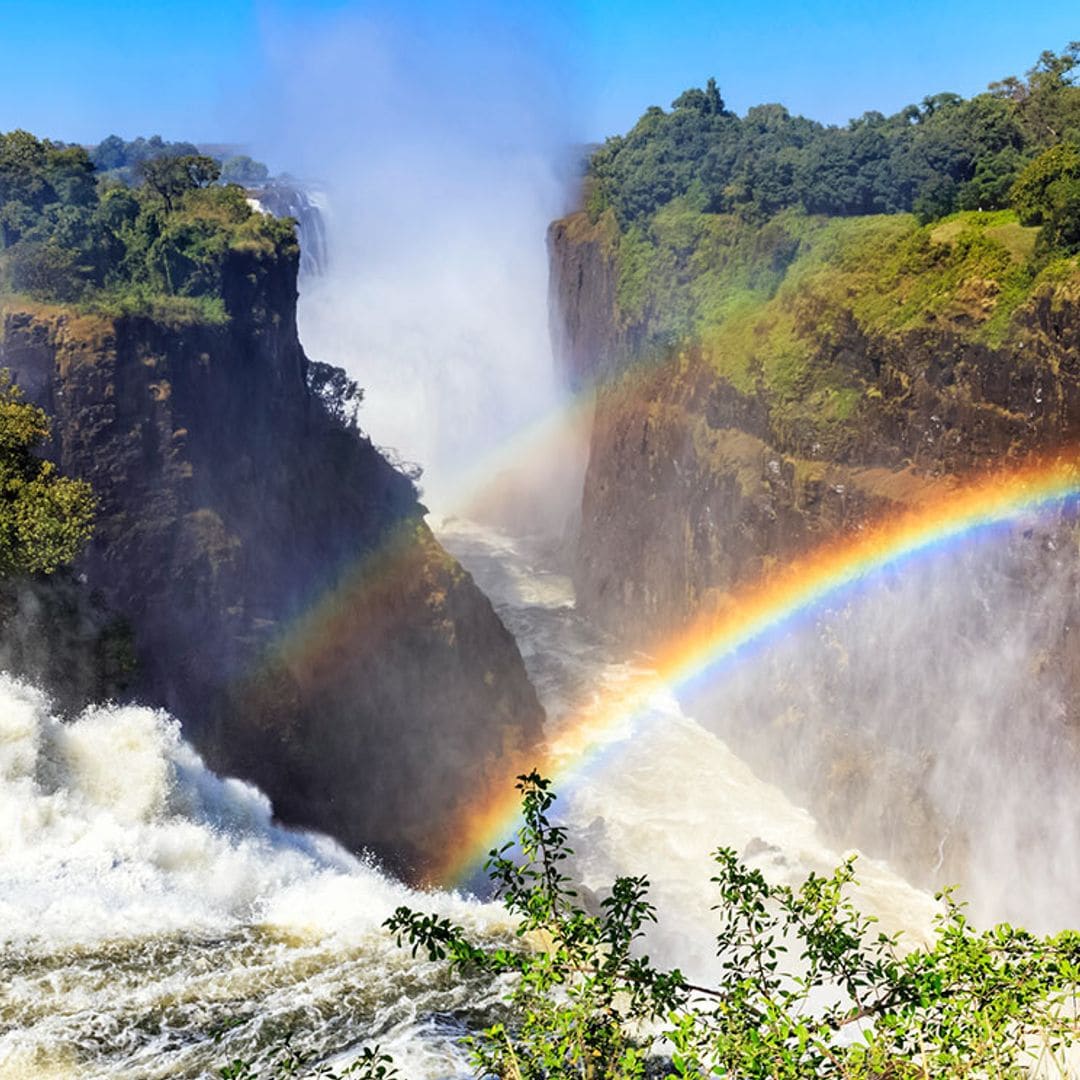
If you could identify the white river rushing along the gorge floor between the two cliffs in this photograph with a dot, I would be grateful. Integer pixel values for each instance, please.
(669, 792)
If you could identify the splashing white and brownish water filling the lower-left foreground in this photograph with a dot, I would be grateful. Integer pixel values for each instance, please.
(144, 901)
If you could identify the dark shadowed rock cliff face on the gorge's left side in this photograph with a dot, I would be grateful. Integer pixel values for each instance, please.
(288, 602)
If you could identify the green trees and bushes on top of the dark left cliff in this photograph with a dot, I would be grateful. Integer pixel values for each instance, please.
(71, 235)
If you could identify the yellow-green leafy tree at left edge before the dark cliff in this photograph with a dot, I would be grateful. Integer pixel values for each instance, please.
(45, 519)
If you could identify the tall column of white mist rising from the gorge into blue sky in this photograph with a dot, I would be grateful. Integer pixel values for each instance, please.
(444, 147)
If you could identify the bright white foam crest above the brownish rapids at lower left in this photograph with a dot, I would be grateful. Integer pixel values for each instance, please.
(113, 828)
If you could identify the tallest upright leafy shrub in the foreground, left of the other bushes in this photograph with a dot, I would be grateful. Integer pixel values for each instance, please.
(580, 1004)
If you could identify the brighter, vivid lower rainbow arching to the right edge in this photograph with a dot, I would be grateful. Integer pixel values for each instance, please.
(772, 605)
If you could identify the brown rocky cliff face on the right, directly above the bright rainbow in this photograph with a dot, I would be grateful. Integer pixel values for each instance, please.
(704, 472)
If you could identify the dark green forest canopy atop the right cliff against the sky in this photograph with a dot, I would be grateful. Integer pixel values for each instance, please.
(944, 155)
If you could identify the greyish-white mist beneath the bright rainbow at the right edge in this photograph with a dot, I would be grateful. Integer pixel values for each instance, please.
(930, 720)
